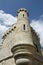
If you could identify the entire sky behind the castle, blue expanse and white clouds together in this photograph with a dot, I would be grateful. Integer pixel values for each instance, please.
(8, 13)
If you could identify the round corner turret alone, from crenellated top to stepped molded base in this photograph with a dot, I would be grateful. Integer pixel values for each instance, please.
(24, 44)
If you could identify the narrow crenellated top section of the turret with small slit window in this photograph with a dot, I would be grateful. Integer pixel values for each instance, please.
(23, 14)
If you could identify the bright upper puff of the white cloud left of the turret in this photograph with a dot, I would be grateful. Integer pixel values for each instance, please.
(7, 19)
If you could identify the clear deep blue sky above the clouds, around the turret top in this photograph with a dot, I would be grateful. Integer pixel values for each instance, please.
(35, 7)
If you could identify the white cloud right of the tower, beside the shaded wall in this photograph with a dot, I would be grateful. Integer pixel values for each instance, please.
(38, 27)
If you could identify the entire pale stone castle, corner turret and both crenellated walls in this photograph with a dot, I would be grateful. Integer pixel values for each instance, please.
(21, 44)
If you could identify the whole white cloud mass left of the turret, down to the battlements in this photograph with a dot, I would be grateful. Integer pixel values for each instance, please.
(5, 21)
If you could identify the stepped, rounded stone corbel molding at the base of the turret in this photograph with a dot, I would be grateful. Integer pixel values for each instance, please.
(22, 52)
